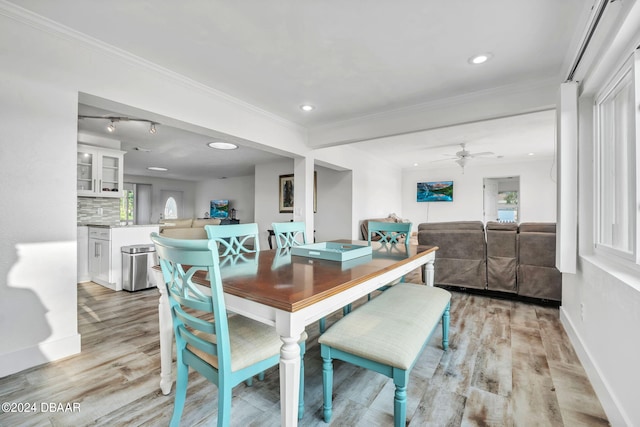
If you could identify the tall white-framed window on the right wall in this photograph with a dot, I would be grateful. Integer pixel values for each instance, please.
(615, 180)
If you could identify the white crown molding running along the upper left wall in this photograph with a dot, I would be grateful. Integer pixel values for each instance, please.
(57, 29)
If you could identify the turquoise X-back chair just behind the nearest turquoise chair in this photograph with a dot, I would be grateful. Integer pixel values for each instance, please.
(234, 239)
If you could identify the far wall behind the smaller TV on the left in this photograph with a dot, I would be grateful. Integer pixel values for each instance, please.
(240, 191)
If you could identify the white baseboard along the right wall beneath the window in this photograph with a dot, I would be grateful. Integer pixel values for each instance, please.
(609, 403)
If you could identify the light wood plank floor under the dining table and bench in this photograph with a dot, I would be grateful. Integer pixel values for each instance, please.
(509, 364)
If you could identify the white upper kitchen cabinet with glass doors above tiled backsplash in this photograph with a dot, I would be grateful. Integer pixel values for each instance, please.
(100, 171)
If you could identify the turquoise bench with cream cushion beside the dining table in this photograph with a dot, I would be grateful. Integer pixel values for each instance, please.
(387, 336)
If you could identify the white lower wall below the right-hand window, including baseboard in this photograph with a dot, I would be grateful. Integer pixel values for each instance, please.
(601, 314)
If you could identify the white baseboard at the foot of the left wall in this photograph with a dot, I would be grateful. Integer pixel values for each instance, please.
(45, 352)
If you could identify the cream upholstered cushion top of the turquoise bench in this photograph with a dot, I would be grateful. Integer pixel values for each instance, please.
(392, 328)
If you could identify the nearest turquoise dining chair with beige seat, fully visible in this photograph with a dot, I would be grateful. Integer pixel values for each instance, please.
(226, 350)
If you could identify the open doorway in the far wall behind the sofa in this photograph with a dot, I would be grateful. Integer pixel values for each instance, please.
(502, 199)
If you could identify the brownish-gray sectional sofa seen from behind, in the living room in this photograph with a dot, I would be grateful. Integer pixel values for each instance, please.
(501, 257)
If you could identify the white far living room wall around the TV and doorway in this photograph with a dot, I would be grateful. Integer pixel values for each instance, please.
(537, 192)
